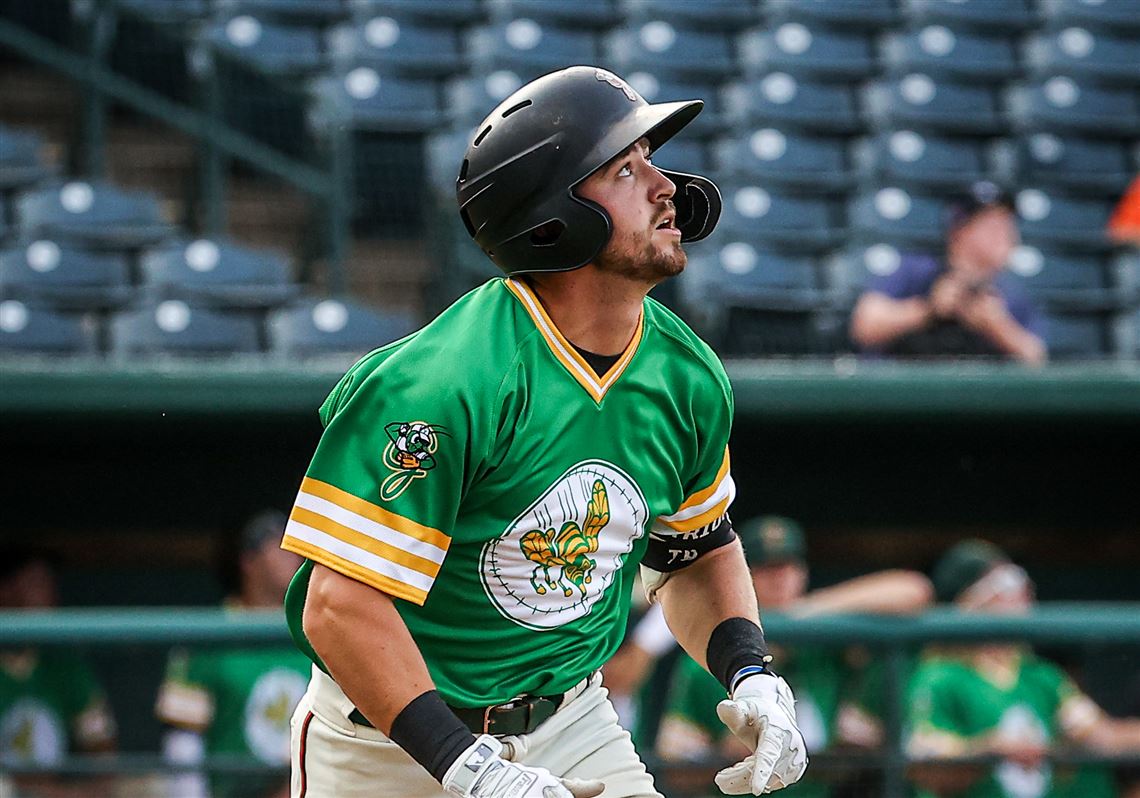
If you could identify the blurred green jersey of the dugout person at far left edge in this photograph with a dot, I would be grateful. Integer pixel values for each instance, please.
(51, 704)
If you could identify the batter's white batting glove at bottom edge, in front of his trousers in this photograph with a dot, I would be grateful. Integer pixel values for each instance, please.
(481, 772)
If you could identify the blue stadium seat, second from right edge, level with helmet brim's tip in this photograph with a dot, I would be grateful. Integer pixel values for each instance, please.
(919, 102)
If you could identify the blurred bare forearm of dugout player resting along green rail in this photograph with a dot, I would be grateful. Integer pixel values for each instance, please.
(894, 592)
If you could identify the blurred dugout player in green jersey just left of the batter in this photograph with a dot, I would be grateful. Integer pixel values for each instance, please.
(238, 703)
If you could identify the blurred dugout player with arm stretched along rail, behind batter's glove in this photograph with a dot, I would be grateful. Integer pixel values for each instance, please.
(775, 549)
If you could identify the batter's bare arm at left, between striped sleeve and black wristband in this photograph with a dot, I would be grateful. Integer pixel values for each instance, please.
(365, 645)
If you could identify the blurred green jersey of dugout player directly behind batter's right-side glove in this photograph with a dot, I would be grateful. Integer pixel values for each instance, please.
(818, 675)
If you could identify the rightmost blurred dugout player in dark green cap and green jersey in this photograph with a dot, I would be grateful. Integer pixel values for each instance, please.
(1000, 699)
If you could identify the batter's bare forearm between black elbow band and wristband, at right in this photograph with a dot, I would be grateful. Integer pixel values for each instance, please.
(699, 598)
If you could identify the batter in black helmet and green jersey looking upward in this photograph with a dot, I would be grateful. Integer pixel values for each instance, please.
(486, 490)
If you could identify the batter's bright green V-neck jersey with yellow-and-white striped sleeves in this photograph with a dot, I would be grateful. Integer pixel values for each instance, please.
(482, 474)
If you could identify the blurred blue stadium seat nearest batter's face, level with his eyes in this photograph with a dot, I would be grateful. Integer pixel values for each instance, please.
(787, 159)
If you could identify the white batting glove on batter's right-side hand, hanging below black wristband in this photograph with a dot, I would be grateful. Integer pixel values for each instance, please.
(762, 714)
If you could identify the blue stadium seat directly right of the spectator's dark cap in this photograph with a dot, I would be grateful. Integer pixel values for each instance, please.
(1052, 219)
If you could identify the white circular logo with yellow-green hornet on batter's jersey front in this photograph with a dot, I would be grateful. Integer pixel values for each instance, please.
(559, 557)
